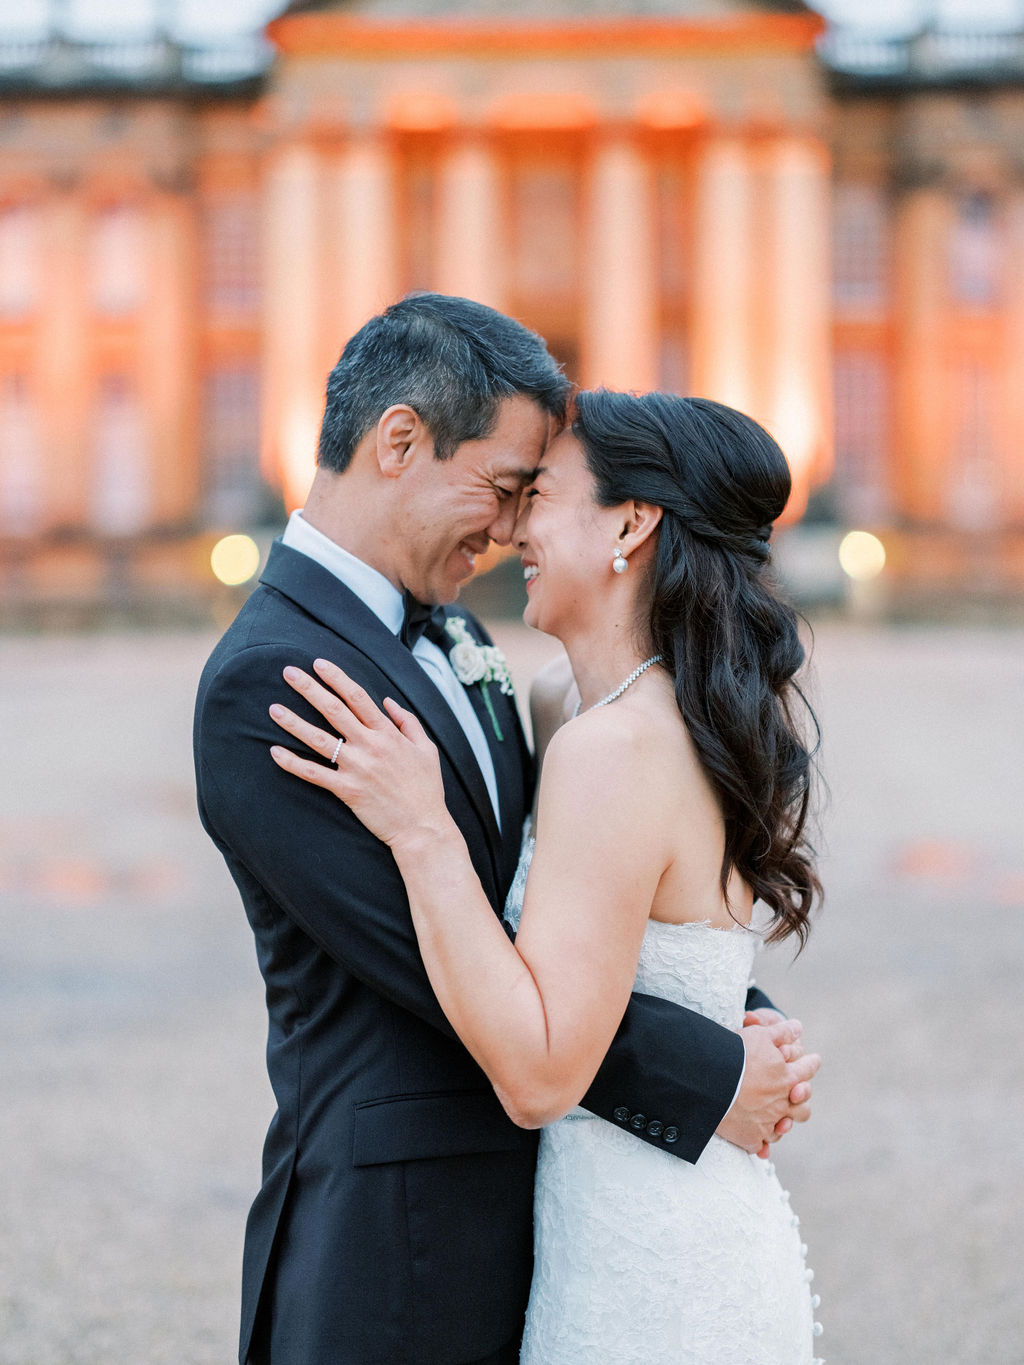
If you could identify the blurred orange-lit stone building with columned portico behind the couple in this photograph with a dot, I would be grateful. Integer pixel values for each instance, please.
(713, 200)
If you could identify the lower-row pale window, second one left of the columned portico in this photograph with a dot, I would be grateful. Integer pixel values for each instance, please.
(122, 484)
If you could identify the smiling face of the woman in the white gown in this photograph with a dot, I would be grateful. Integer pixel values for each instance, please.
(565, 540)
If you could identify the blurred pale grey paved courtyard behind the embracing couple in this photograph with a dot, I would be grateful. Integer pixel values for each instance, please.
(132, 1023)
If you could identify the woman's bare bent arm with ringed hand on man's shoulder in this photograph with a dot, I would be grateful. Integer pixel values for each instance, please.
(537, 1015)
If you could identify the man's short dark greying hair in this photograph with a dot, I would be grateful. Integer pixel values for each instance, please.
(453, 361)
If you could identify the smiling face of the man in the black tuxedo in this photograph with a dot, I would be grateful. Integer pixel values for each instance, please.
(458, 507)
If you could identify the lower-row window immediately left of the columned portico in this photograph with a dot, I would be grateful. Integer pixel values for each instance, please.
(236, 489)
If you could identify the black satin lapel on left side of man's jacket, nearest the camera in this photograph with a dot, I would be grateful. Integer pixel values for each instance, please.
(324, 597)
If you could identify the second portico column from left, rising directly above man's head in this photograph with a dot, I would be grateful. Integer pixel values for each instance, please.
(362, 275)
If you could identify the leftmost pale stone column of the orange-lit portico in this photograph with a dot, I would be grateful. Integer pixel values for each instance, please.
(294, 373)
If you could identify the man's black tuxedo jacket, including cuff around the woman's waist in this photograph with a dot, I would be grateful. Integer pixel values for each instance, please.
(394, 1222)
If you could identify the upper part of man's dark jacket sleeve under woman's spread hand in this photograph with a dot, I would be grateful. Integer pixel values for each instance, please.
(301, 847)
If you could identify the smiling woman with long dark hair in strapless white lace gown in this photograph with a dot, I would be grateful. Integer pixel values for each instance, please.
(674, 796)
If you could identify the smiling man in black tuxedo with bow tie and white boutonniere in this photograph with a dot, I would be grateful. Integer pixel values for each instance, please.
(394, 1224)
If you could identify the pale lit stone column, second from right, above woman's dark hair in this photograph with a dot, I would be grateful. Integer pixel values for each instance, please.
(724, 274)
